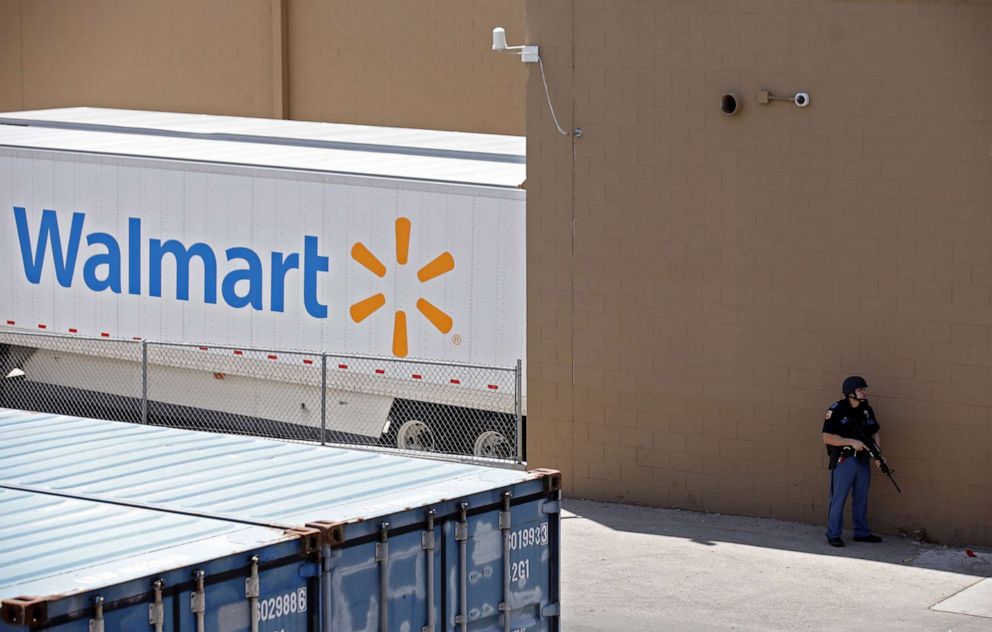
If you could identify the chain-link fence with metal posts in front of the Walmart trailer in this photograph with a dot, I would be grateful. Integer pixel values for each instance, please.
(467, 412)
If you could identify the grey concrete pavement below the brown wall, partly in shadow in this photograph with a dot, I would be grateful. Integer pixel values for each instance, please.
(637, 568)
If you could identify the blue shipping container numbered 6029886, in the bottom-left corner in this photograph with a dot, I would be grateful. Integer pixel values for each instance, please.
(69, 564)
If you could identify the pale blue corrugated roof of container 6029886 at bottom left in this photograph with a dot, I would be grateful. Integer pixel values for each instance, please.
(55, 545)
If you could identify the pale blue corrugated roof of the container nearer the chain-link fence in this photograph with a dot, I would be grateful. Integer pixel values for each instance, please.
(243, 478)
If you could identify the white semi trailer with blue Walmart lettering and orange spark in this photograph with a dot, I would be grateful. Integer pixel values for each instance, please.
(237, 233)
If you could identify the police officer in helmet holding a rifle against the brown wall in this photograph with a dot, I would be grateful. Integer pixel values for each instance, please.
(847, 425)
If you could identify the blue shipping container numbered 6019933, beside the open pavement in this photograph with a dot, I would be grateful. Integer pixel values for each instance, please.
(409, 543)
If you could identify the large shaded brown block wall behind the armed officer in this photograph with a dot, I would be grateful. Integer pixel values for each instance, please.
(699, 285)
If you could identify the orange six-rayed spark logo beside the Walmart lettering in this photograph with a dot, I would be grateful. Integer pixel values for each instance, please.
(364, 308)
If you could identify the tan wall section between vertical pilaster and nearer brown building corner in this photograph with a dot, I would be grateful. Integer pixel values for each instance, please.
(415, 64)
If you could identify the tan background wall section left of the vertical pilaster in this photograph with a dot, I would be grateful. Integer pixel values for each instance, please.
(182, 55)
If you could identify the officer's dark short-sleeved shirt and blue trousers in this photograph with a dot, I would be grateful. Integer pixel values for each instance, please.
(849, 471)
